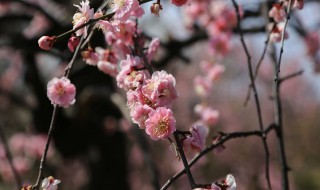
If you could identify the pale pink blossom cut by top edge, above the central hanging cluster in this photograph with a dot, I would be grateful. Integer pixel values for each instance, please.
(125, 8)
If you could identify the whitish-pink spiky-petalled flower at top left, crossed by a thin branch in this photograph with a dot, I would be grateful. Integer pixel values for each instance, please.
(82, 17)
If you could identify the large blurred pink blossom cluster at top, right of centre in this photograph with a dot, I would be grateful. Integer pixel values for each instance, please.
(217, 18)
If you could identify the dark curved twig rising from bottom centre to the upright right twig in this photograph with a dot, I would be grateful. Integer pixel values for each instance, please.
(224, 138)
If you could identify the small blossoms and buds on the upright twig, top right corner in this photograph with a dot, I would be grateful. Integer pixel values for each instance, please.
(279, 14)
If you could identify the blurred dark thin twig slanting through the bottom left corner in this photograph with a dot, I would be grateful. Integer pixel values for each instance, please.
(10, 158)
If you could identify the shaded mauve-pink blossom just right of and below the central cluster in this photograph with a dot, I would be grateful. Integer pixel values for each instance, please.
(197, 139)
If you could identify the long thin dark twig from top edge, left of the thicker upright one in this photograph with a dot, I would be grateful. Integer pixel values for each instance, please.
(255, 92)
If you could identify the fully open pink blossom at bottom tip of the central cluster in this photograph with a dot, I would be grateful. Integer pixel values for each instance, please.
(160, 124)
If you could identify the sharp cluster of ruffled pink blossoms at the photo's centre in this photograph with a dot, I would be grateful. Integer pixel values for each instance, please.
(149, 98)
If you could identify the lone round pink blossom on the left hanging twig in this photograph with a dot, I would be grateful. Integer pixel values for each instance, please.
(61, 92)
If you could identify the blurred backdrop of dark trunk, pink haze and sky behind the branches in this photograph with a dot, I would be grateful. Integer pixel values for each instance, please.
(96, 147)
